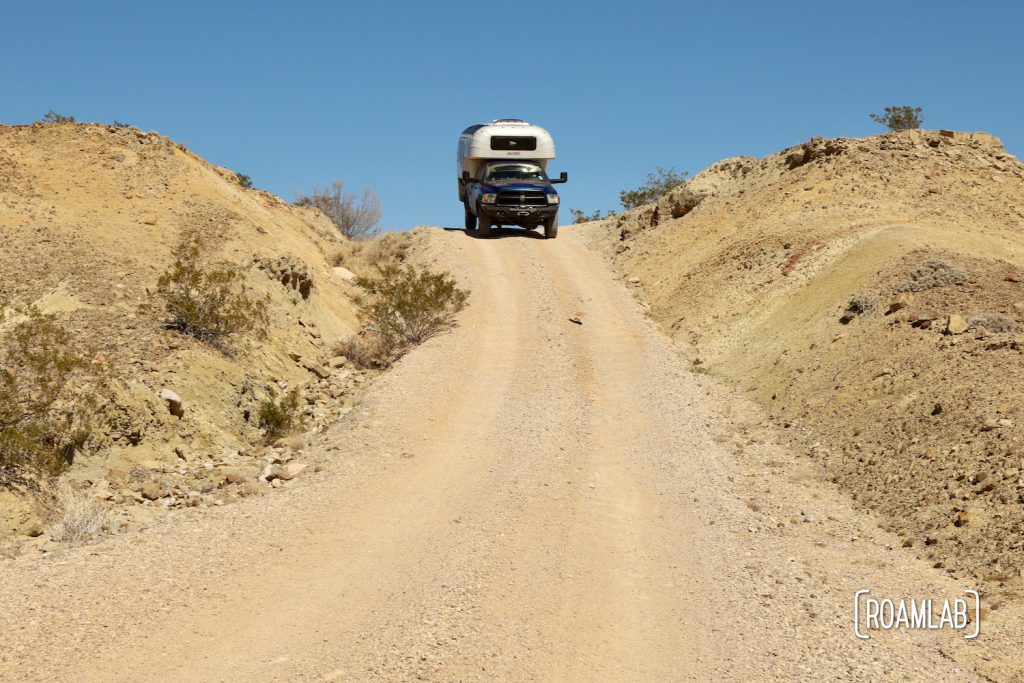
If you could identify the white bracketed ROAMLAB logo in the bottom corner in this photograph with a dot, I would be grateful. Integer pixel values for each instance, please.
(871, 614)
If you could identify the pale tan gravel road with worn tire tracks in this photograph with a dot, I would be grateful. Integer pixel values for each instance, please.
(527, 498)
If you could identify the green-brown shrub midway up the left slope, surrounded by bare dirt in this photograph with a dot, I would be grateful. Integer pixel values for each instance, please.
(209, 300)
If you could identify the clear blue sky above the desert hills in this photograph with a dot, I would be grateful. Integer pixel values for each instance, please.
(300, 94)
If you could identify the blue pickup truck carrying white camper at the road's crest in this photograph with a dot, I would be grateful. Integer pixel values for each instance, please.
(503, 178)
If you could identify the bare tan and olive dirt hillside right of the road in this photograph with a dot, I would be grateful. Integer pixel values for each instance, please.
(869, 293)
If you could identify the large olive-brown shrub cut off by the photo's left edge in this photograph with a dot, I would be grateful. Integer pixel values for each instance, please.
(47, 397)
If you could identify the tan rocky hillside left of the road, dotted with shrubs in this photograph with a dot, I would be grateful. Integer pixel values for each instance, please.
(90, 217)
